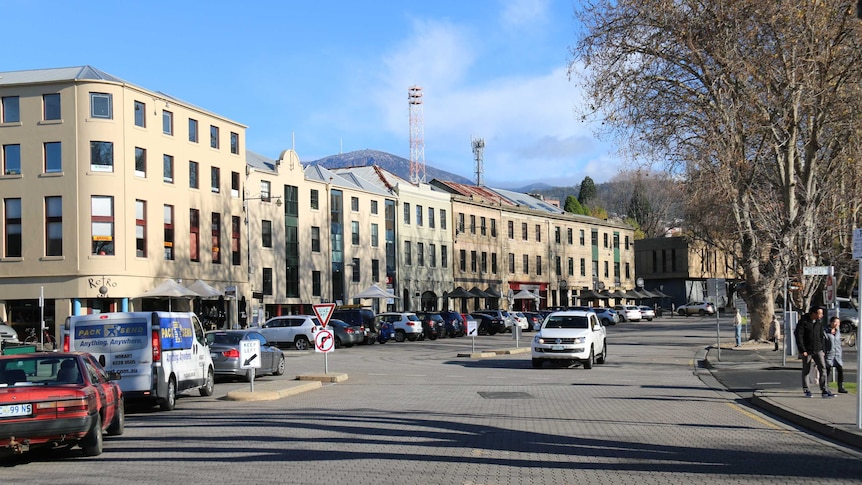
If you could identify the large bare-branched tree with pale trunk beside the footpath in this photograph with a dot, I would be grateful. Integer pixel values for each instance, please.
(753, 104)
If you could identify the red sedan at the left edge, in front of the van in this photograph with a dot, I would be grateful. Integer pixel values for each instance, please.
(57, 399)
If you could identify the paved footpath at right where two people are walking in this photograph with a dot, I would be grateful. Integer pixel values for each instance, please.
(834, 418)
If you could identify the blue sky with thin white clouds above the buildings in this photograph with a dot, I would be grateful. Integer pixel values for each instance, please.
(326, 77)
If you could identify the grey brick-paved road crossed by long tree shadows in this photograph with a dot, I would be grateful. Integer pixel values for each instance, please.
(415, 413)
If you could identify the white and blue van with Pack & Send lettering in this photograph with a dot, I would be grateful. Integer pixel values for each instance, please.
(158, 354)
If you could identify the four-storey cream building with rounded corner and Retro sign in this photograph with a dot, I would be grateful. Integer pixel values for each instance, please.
(107, 190)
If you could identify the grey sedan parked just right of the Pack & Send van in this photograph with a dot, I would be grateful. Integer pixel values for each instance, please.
(225, 349)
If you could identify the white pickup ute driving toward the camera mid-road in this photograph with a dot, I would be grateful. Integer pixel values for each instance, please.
(570, 336)
